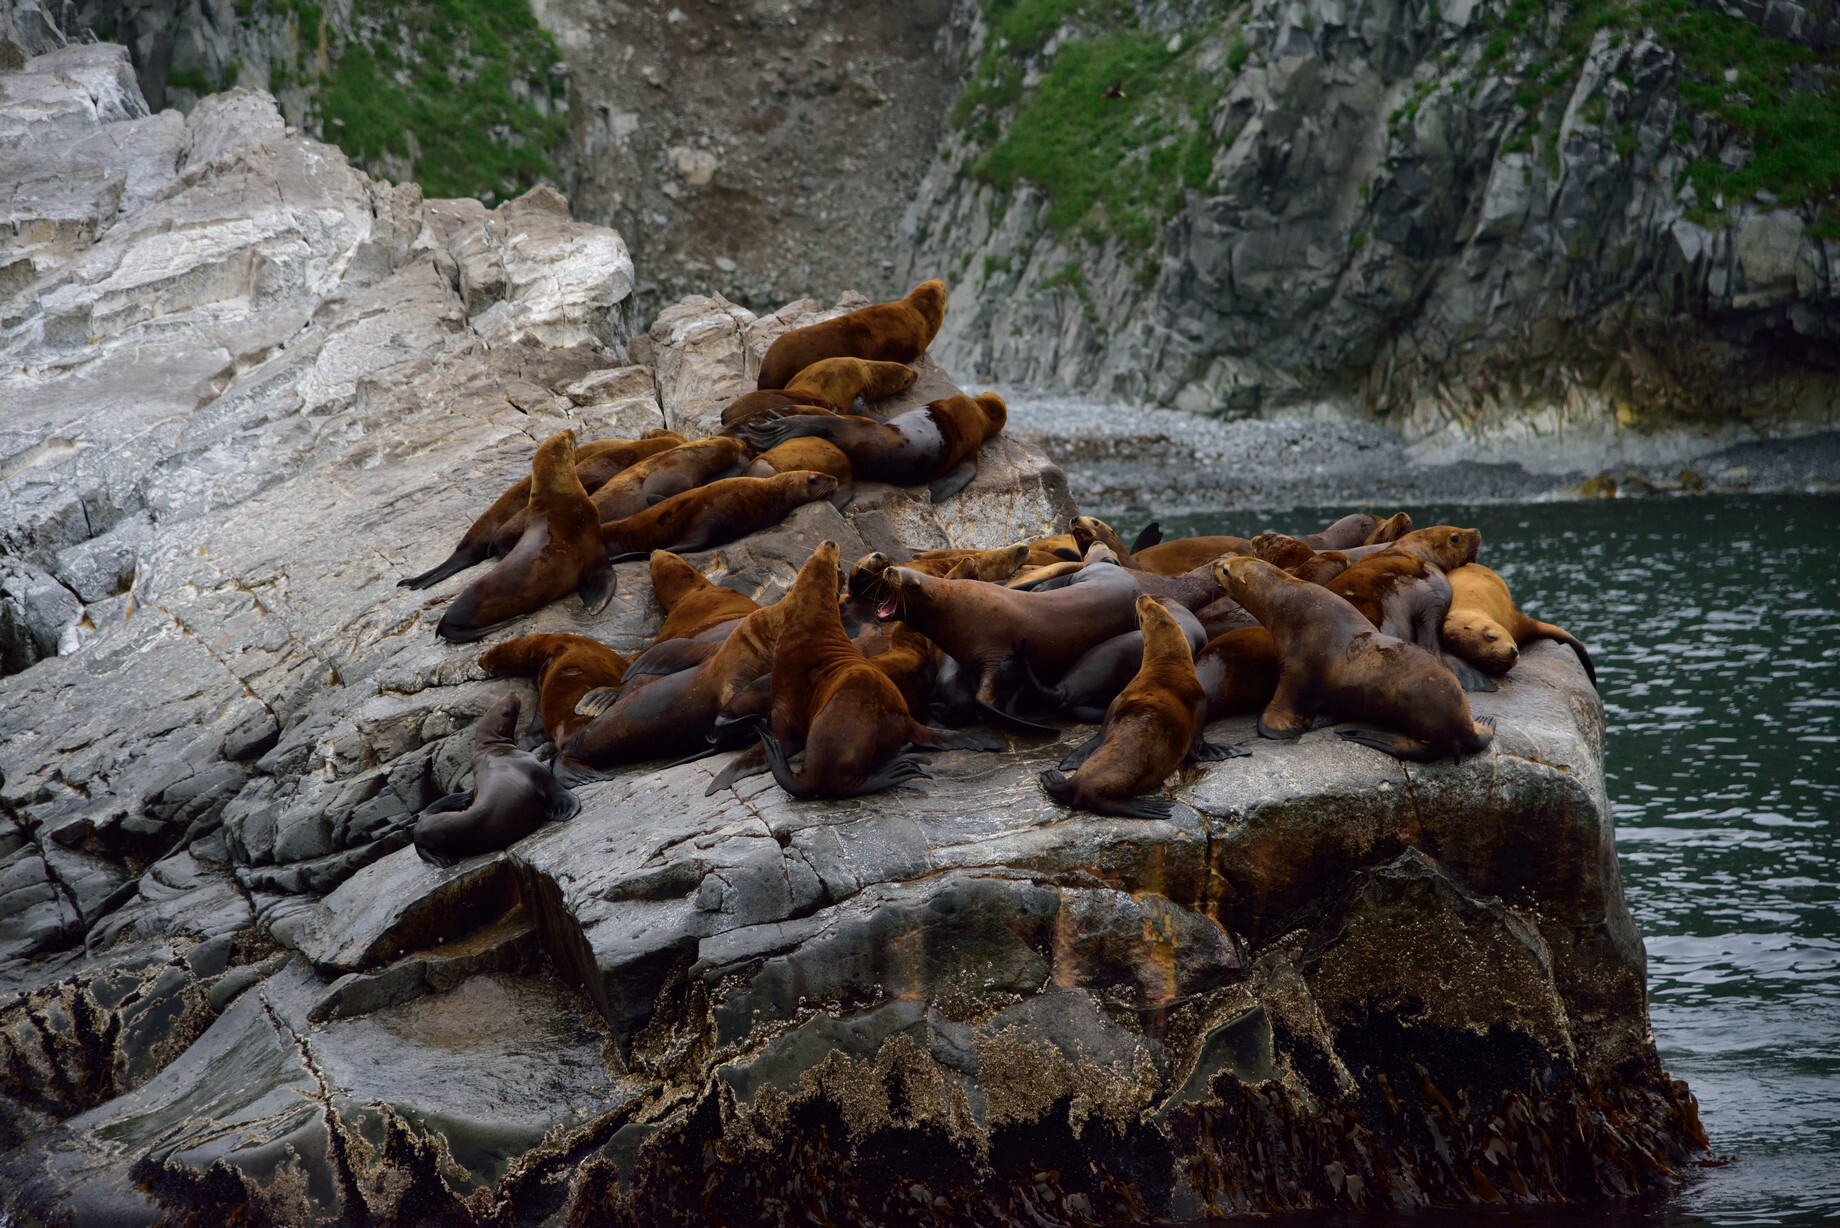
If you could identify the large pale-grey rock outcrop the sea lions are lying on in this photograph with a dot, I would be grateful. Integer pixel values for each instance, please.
(249, 389)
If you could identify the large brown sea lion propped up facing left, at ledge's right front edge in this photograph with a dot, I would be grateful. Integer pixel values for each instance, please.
(1333, 662)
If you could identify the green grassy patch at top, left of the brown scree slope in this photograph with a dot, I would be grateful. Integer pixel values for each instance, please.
(465, 91)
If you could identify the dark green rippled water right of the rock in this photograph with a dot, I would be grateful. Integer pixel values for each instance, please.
(1716, 627)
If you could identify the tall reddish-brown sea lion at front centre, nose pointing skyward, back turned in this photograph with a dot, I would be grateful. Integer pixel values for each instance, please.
(847, 715)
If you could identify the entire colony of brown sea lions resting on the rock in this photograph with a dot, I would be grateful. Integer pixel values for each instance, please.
(1364, 621)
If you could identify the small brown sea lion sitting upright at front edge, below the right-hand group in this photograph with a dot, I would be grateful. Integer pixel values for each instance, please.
(1149, 730)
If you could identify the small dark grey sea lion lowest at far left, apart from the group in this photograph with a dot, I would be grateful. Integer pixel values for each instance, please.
(512, 796)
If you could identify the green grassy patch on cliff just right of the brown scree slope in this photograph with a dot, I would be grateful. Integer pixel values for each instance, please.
(1114, 128)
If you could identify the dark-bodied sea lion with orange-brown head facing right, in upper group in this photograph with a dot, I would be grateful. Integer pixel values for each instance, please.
(936, 445)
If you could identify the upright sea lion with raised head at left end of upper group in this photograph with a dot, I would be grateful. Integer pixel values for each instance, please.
(560, 553)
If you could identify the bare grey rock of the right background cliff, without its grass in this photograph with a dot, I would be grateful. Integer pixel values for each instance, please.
(1372, 242)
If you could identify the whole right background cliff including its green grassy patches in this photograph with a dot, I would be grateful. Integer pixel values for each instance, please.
(1545, 233)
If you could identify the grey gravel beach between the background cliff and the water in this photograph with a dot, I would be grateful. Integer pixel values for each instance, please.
(1133, 459)
